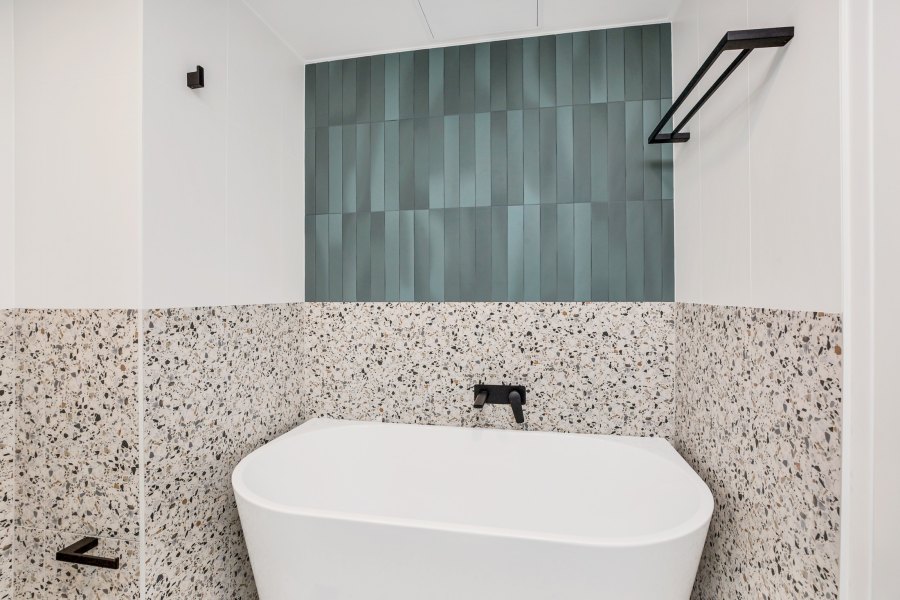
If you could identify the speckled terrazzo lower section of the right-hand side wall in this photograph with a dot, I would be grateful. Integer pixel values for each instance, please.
(758, 416)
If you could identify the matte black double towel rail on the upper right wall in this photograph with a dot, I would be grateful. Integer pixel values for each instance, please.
(746, 41)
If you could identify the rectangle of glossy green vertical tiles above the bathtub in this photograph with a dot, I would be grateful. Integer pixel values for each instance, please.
(505, 171)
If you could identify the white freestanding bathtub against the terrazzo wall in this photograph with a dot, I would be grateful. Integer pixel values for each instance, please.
(363, 511)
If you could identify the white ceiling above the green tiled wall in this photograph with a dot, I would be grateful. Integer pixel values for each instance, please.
(324, 29)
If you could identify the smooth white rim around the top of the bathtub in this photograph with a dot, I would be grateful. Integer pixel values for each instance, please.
(697, 521)
